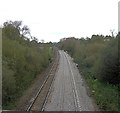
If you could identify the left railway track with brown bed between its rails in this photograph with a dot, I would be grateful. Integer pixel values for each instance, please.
(39, 101)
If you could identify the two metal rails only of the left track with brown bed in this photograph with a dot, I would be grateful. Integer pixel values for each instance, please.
(51, 72)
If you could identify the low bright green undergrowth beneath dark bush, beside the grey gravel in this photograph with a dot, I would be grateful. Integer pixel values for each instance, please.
(105, 94)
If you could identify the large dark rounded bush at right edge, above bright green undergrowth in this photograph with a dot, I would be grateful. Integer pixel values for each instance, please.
(107, 66)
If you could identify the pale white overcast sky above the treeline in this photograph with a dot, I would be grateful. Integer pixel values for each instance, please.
(51, 20)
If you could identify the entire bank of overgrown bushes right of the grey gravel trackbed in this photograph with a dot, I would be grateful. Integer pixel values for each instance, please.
(97, 58)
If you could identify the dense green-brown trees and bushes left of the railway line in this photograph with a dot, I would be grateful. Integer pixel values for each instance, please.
(23, 59)
